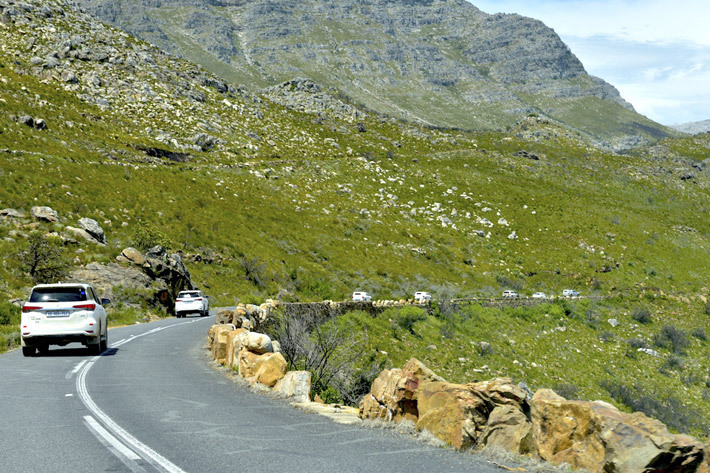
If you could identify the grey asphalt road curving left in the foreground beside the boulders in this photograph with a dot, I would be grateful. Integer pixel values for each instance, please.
(152, 402)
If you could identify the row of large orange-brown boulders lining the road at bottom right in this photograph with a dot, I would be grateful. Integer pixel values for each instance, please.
(594, 436)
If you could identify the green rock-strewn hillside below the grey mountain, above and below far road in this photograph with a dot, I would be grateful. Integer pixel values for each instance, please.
(314, 199)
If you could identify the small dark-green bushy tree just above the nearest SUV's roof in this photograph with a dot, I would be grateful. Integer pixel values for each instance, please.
(44, 259)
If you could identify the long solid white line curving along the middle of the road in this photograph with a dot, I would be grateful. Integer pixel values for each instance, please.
(146, 453)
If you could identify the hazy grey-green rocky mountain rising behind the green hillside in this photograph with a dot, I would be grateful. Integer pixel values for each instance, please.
(439, 62)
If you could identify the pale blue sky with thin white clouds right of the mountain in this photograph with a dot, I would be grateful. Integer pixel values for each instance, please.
(656, 52)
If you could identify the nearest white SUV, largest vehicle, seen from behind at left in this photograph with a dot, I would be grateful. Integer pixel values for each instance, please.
(58, 314)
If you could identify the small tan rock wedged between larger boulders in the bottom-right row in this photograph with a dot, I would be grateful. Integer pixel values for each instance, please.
(508, 428)
